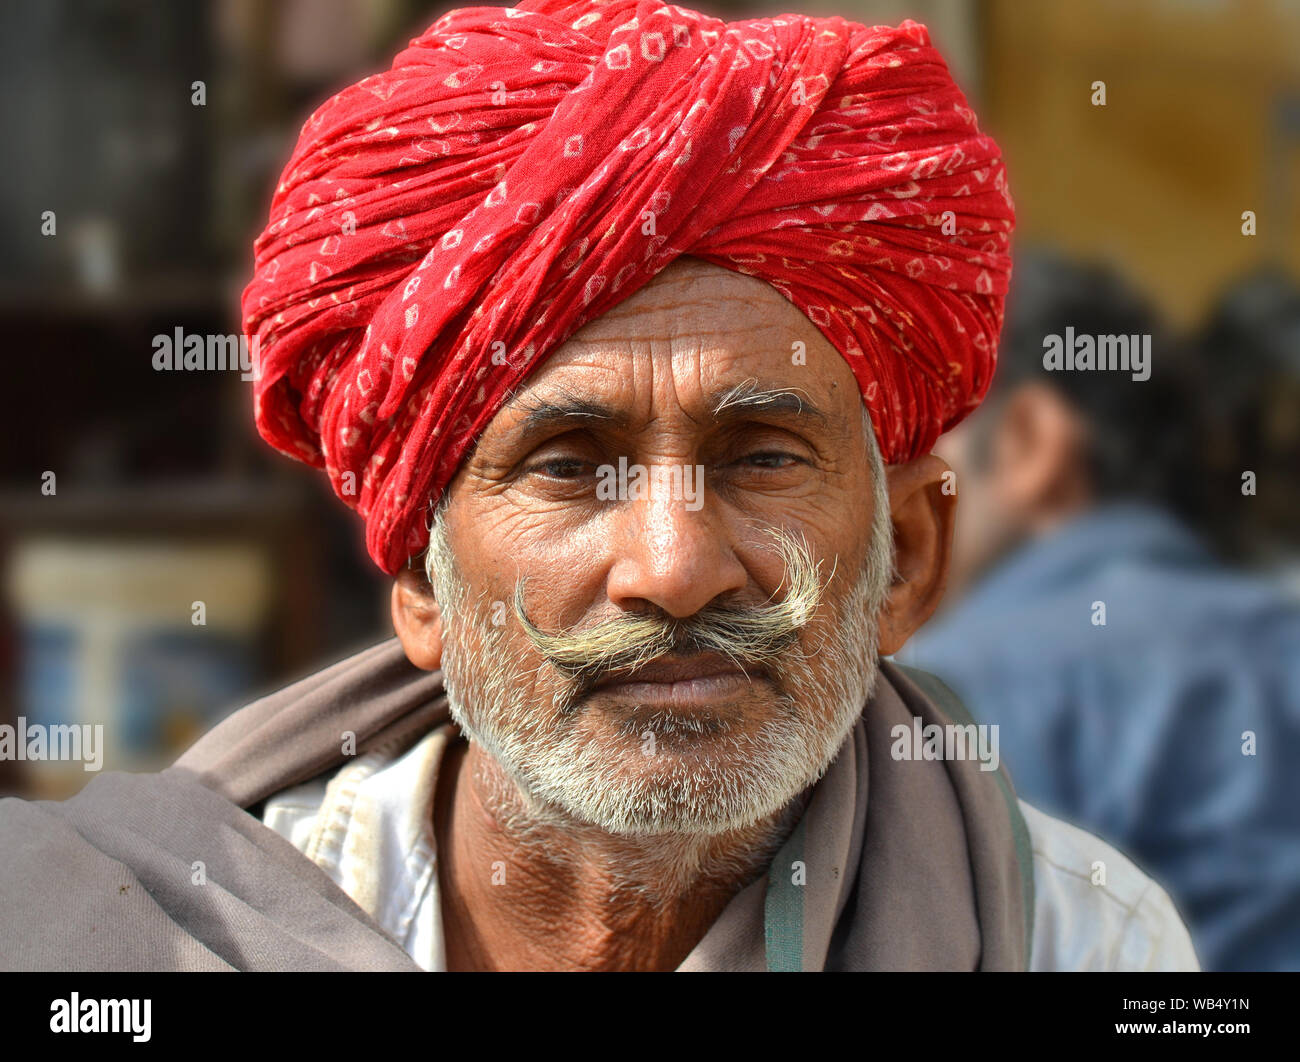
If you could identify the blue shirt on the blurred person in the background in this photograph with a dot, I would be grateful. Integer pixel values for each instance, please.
(1172, 731)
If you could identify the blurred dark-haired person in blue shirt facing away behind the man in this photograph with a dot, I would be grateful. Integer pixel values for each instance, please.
(1143, 690)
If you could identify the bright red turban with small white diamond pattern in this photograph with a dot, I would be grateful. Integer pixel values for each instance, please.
(441, 228)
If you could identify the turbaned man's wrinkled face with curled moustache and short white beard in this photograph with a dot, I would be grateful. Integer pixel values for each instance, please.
(682, 649)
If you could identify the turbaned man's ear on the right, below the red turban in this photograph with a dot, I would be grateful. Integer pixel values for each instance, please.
(922, 517)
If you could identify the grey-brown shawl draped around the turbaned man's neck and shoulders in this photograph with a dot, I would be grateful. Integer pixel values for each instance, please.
(172, 872)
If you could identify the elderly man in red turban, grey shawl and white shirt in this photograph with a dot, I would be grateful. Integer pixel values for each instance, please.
(627, 332)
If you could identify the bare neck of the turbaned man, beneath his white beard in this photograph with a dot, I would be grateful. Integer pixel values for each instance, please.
(519, 894)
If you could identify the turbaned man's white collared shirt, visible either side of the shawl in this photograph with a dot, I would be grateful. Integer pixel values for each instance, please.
(370, 827)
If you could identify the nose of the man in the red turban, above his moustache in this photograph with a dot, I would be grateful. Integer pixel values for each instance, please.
(671, 556)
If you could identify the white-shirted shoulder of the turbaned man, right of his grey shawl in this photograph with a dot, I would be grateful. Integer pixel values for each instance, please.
(1094, 909)
